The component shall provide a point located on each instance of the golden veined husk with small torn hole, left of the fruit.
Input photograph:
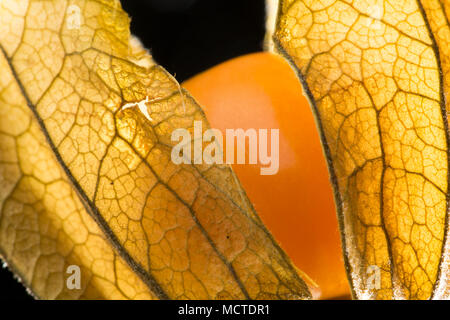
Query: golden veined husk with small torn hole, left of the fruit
(185, 232)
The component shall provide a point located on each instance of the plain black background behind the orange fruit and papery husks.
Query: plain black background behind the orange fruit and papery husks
(186, 37)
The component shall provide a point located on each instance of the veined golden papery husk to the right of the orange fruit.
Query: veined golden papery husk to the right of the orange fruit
(373, 72)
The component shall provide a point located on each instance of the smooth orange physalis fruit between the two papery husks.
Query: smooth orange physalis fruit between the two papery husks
(261, 91)
